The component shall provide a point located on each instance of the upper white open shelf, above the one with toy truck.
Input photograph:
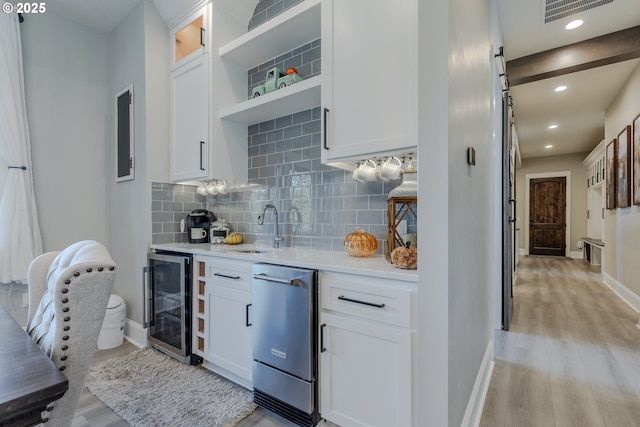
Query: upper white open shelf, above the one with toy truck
(287, 31)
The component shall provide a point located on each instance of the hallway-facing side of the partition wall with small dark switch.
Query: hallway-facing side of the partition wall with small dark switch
(471, 207)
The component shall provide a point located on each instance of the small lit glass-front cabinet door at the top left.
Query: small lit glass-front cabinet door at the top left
(190, 37)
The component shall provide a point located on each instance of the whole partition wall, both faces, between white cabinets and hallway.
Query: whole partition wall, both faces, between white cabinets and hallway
(456, 204)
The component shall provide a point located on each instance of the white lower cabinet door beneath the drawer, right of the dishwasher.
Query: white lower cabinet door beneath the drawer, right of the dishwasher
(365, 377)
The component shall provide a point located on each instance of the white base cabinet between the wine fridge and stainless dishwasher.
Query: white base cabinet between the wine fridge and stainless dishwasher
(227, 306)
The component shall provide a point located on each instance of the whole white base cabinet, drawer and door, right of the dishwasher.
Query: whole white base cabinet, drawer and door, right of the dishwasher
(365, 351)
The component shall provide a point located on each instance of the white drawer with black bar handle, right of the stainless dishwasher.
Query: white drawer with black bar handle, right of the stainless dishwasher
(369, 298)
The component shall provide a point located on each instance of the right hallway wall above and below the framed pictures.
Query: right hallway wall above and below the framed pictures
(622, 226)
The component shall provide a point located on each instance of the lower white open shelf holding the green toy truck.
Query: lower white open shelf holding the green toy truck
(291, 99)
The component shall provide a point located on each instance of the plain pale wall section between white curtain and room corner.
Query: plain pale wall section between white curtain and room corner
(65, 67)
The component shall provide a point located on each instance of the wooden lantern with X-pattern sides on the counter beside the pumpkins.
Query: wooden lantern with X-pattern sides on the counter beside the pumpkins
(402, 204)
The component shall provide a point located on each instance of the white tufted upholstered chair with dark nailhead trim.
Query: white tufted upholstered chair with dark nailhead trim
(68, 295)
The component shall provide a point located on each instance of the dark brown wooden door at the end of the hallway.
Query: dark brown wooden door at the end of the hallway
(547, 216)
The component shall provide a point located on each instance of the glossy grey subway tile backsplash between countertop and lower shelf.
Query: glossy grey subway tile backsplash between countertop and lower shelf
(318, 205)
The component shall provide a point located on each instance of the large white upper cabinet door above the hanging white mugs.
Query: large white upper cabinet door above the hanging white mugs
(370, 77)
